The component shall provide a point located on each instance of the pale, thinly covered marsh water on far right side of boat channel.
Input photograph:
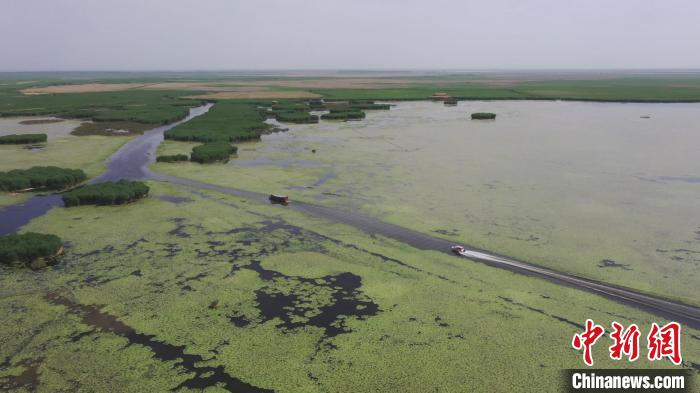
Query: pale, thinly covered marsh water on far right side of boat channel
(567, 185)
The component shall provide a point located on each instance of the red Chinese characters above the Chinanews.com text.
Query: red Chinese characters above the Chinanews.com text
(662, 342)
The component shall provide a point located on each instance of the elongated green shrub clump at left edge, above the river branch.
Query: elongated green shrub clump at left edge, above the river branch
(50, 177)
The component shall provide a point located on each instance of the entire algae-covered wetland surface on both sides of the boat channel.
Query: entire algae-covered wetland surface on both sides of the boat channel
(205, 287)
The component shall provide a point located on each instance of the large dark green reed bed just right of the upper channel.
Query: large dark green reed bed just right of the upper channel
(226, 121)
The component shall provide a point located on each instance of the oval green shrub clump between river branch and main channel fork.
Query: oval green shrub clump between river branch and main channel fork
(108, 193)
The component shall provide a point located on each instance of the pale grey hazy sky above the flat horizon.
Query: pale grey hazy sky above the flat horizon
(352, 34)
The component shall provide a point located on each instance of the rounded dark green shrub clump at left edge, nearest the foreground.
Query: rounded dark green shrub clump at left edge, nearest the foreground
(27, 247)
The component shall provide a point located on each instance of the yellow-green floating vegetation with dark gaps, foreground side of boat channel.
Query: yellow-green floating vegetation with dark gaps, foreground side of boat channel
(221, 291)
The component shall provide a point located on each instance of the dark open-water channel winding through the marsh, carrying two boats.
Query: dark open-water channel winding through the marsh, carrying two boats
(132, 160)
